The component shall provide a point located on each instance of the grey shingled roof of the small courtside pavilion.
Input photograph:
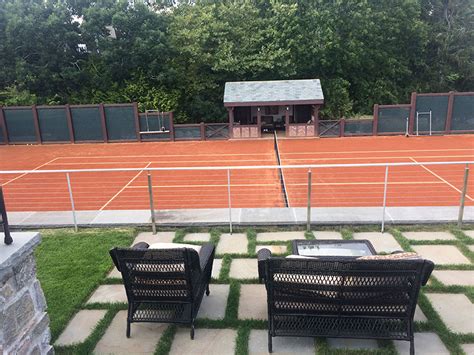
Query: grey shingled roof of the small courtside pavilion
(277, 92)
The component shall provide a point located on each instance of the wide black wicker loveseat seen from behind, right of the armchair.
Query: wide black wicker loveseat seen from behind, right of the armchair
(342, 297)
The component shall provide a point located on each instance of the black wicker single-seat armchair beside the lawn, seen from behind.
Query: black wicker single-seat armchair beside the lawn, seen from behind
(164, 285)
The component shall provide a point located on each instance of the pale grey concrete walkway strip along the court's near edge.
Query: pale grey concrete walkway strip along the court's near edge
(243, 216)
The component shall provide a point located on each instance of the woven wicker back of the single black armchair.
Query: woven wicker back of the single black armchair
(158, 275)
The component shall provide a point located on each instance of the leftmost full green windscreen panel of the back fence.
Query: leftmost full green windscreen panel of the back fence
(20, 125)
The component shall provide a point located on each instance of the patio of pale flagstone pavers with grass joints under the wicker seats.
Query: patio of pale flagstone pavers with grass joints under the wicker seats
(233, 317)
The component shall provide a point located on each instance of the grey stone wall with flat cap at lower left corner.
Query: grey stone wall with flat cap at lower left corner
(24, 323)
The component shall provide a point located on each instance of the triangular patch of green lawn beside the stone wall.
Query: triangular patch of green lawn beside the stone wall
(72, 265)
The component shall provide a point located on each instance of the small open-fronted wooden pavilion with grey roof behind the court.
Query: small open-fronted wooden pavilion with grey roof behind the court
(264, 106)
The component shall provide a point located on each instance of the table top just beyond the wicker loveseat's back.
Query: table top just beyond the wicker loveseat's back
(328, 247)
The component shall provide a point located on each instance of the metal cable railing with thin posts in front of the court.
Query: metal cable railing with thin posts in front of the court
(306, 186)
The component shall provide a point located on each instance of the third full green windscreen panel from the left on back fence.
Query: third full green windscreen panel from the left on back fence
(87, 124)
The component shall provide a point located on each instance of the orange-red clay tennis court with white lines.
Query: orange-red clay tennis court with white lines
(425, 185)
